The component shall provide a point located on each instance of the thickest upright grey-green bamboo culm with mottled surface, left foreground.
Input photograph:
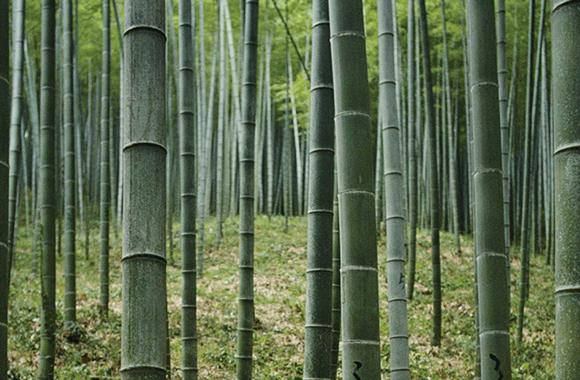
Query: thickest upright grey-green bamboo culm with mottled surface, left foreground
(144, 322)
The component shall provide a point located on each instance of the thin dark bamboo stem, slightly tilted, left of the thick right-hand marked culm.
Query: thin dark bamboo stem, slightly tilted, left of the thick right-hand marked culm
(434, 177)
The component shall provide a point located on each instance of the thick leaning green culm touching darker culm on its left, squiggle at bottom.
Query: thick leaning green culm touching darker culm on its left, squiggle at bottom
(359, 277)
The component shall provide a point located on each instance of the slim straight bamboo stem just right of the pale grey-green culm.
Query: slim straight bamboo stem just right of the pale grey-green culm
(412, 149)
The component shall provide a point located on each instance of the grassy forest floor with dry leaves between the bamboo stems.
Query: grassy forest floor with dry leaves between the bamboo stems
(280, 295)
